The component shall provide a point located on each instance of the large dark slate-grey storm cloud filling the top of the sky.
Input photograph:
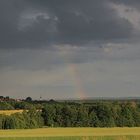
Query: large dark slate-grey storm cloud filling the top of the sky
(63, 21)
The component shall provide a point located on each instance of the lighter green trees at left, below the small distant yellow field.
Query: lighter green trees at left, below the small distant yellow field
(25, 120)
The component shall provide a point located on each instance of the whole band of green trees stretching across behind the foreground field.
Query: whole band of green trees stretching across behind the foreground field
(71, 114)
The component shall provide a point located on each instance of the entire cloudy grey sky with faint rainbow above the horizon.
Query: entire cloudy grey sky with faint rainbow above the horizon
(63, 49)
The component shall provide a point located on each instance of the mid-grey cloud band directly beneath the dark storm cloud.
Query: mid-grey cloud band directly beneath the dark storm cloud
(28, 59)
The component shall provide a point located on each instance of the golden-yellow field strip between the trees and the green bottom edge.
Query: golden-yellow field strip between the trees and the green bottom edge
(54, 132)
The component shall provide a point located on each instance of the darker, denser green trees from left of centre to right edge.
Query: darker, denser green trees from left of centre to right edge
(97, 115)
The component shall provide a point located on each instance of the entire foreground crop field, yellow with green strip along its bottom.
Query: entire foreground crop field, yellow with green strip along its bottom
(72, 134)
